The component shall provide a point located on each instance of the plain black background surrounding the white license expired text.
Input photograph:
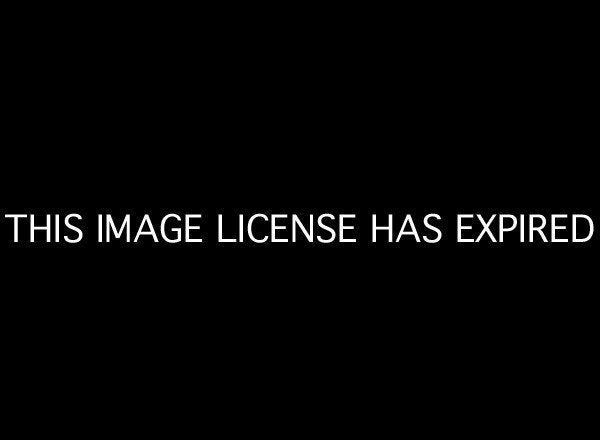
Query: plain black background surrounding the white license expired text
(368, 113)
